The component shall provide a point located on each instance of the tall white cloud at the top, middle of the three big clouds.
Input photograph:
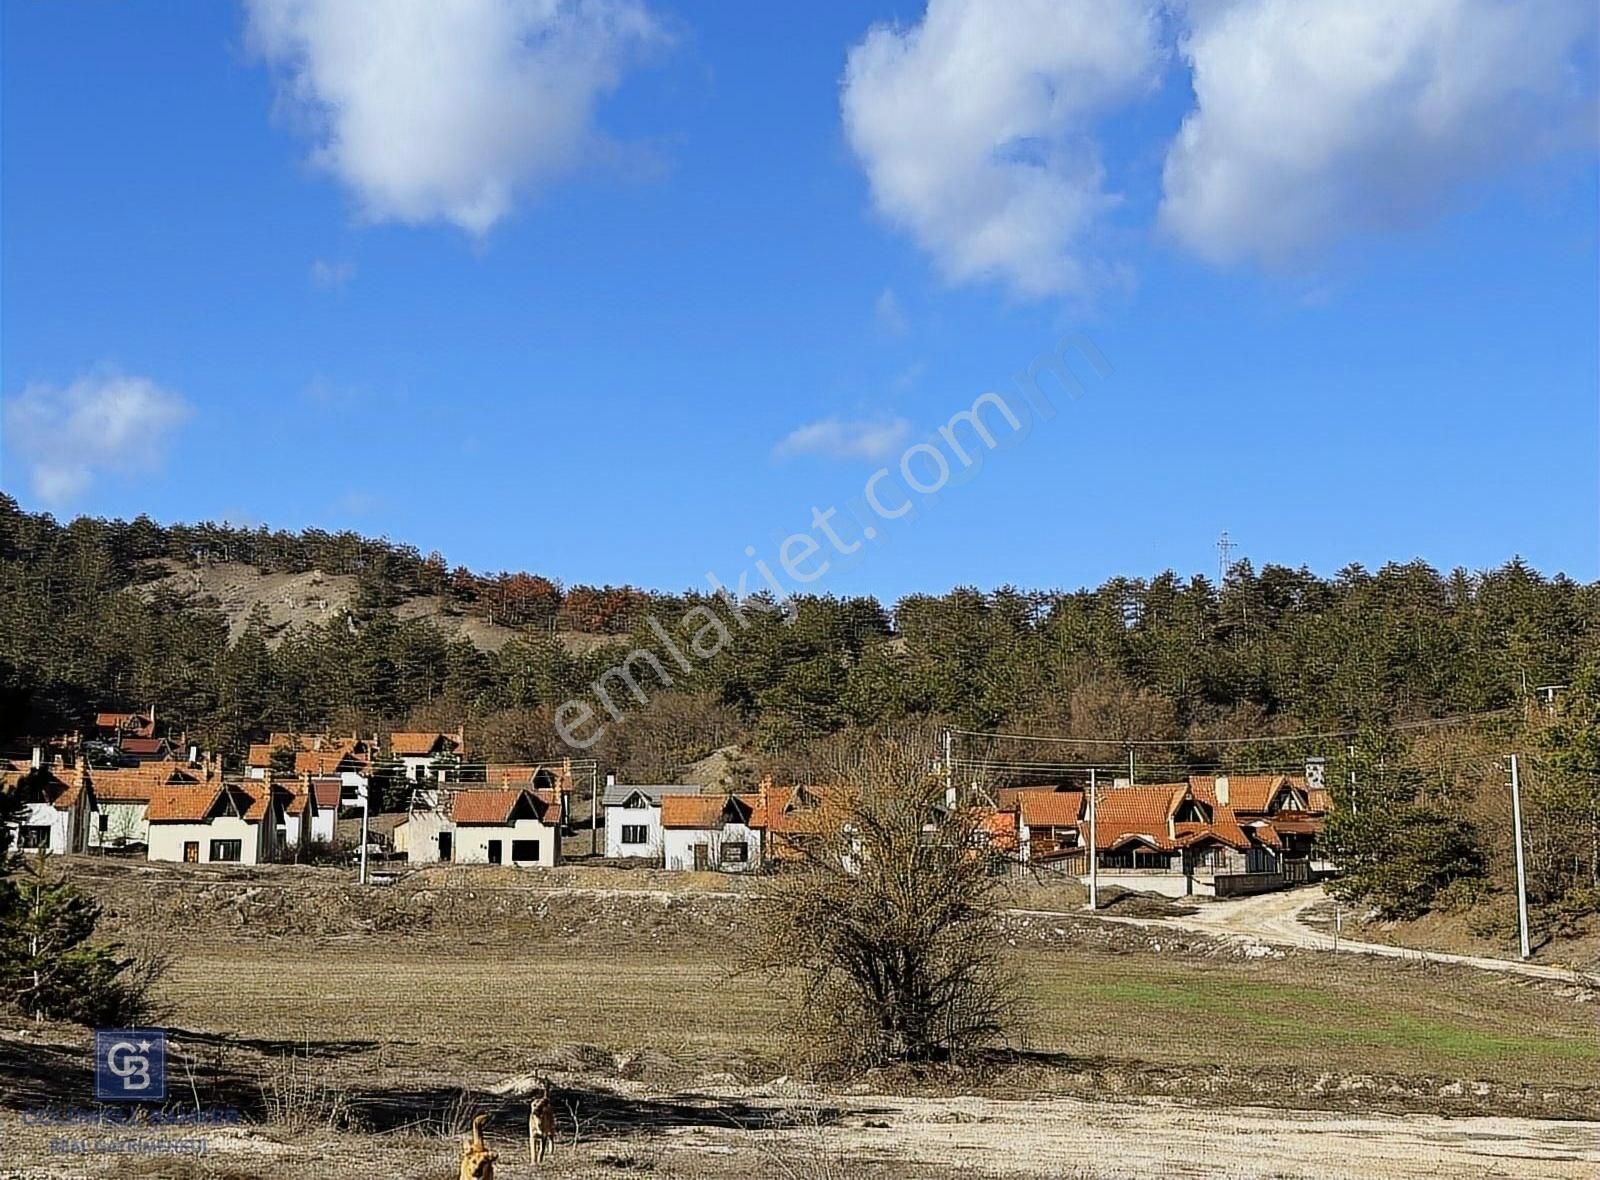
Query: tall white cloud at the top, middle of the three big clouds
(975, 130)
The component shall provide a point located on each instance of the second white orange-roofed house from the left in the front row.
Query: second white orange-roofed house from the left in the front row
(225, 823)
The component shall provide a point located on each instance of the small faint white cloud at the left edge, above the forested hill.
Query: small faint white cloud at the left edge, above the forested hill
(66, 437)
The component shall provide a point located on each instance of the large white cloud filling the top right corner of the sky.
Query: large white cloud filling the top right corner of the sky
(1314, 121)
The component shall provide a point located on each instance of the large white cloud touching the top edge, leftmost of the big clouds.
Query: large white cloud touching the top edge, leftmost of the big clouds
(449, 110)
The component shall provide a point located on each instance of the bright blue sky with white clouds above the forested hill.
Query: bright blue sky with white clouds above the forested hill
(1348, 319)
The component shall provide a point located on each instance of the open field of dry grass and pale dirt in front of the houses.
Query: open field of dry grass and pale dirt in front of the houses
(367, 1029)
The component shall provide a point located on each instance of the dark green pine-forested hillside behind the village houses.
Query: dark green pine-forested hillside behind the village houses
(1145, 658)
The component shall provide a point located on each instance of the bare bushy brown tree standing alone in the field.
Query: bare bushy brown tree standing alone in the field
(889, 917)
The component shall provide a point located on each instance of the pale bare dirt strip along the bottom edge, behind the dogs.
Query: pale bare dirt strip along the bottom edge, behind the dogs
(922, 1138)
